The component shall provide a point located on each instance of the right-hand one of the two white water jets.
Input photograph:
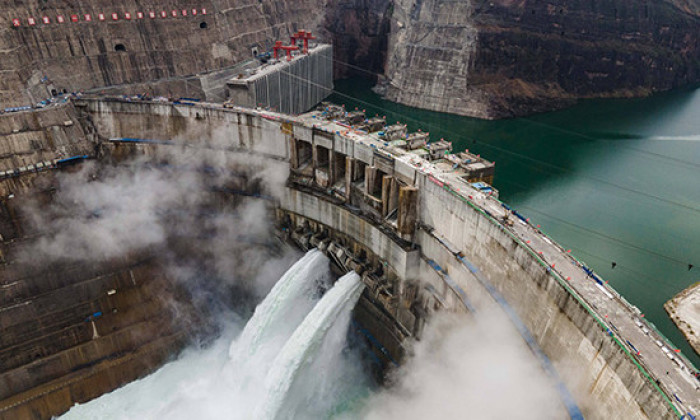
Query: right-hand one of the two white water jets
(302, 348)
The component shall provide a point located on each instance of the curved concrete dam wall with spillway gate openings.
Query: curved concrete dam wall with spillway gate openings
(426, 226)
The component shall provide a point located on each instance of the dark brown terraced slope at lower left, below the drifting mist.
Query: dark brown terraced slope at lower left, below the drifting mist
(74, 330)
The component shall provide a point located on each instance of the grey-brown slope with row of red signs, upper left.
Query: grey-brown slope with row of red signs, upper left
(37, 59)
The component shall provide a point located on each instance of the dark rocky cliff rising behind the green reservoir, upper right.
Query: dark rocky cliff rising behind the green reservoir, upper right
(506, 58)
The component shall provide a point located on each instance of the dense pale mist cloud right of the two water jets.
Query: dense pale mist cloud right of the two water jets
(468, 369)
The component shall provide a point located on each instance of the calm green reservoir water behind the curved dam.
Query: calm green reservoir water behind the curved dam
(614, 180)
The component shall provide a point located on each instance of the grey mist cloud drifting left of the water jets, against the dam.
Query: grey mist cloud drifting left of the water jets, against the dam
(181, 204)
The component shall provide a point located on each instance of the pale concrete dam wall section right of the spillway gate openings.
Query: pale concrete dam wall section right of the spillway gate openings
(586, 358)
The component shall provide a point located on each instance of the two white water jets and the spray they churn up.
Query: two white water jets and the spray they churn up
(228, 379)
